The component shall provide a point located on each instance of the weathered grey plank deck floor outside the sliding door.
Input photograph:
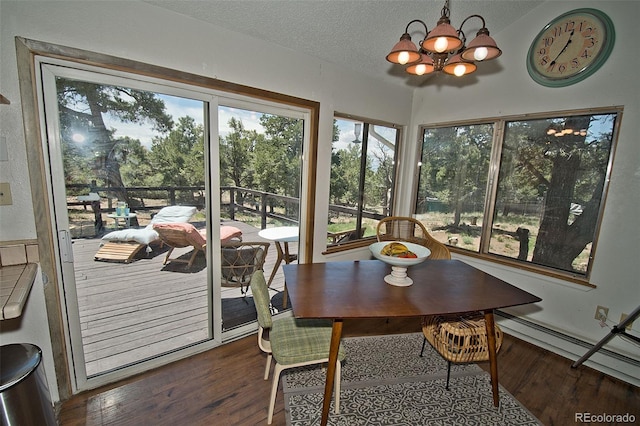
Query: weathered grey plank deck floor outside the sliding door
(133, 311)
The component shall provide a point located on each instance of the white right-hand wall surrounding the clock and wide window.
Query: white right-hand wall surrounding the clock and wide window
(568, 308)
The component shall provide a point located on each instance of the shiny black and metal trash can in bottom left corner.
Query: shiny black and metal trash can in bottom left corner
(24, 394)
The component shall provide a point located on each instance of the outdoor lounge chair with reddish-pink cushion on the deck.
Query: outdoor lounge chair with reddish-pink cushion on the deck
(178, 235)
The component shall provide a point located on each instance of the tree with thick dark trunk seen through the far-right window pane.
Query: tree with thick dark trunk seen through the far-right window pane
(562, 171)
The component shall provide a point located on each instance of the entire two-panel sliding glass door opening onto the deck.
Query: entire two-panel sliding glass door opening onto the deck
(151, 185)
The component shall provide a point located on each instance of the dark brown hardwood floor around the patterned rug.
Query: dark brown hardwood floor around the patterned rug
(224, 386)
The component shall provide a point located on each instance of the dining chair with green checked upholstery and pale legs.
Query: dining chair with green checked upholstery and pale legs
(291, 342)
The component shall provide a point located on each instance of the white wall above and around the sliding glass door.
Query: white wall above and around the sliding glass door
(145, 33)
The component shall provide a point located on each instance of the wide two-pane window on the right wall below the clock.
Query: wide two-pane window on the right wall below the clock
(525, 191)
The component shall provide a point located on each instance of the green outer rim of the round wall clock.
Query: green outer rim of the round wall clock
(602, 57)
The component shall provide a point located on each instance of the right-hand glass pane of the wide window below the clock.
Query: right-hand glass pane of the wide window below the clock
(550, 189)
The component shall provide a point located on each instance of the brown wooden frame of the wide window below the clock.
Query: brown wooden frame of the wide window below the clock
(500, 124)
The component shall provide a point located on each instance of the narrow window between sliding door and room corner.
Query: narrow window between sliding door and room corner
(363, 160)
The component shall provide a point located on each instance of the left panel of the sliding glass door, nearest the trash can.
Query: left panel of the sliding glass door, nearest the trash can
(126, 155)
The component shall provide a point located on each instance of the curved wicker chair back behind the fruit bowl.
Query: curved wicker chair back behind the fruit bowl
(399, 228)
